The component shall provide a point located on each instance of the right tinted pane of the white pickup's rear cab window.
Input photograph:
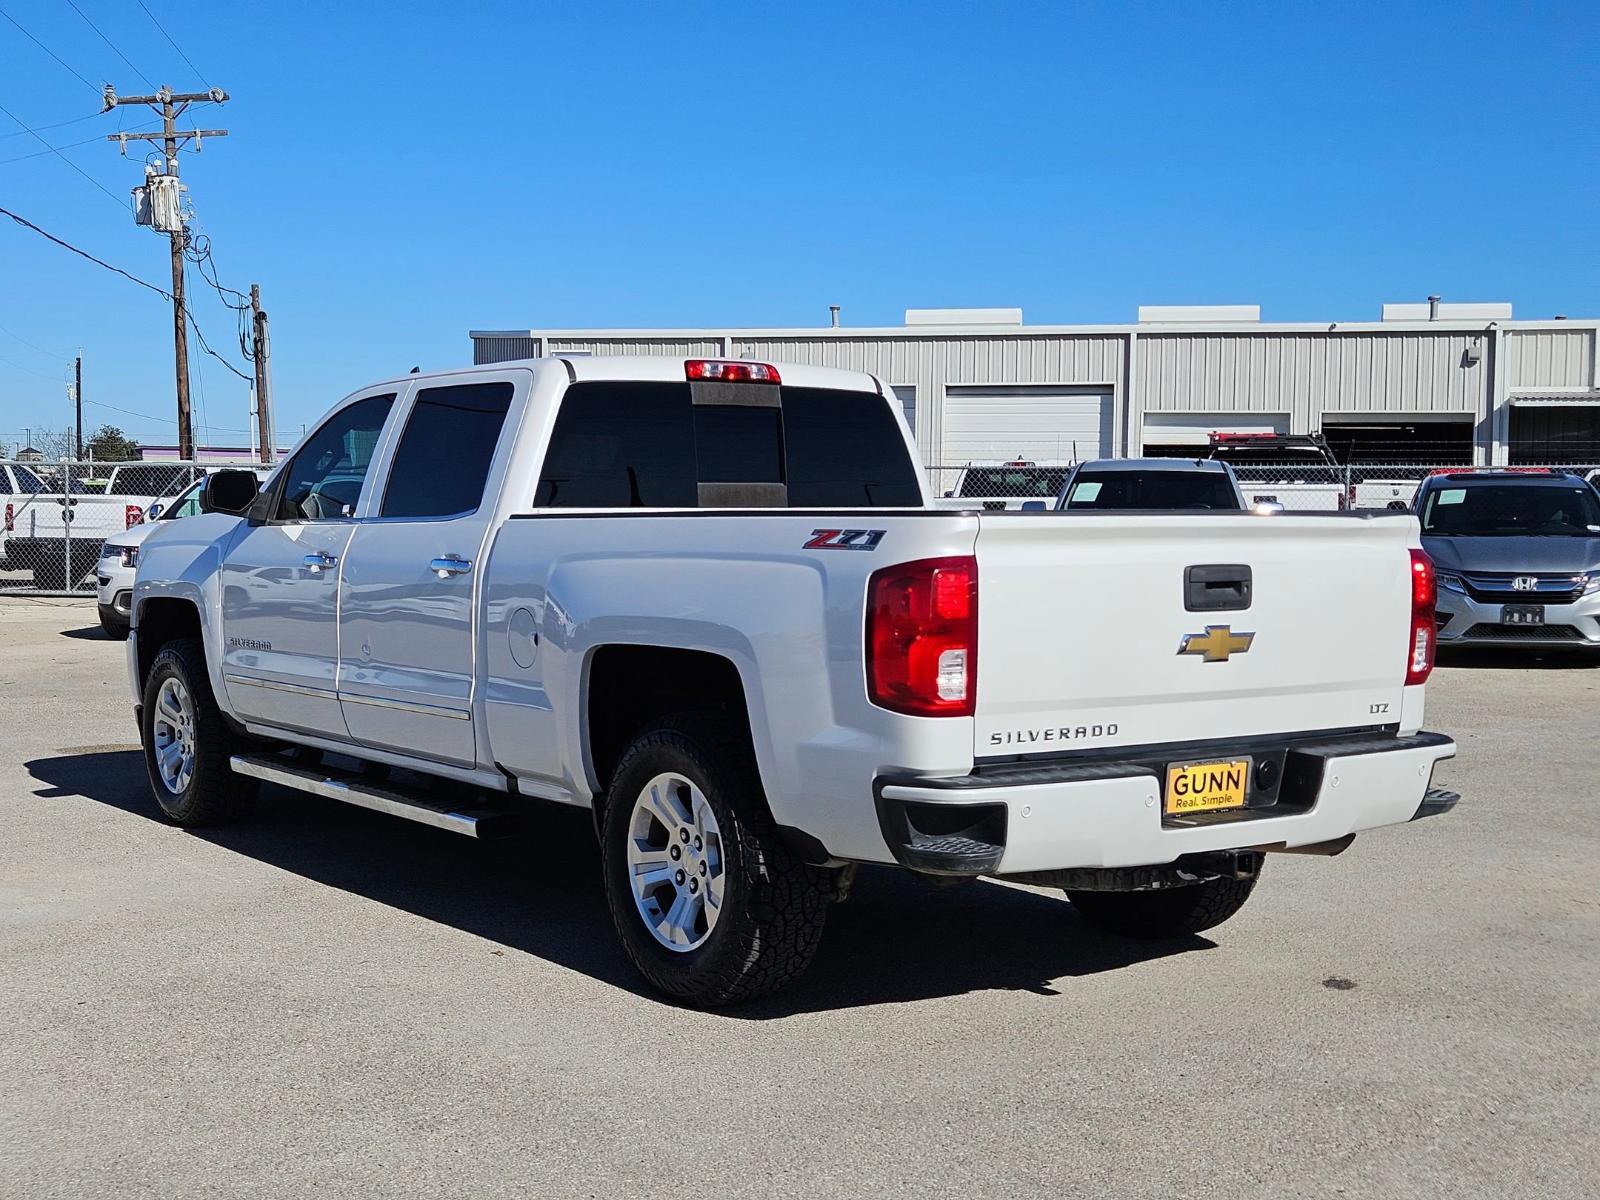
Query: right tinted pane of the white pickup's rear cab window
(846, 452)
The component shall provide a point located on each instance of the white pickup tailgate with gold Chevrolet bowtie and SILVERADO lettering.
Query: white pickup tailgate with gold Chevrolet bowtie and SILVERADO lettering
(1086, 630)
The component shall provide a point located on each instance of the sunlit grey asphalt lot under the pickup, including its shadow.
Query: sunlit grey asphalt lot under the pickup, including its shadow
(327, 1001)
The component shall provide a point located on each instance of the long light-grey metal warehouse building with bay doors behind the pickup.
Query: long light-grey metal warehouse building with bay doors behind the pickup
(1428, 383)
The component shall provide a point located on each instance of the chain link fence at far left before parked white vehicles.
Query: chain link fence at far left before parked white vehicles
(60, 516)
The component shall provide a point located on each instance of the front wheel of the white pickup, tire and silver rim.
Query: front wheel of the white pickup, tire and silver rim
(186, 742)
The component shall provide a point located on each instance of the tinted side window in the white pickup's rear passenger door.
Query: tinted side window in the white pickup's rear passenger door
(446, 452)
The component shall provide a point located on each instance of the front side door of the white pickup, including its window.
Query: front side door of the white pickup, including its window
(281, 578)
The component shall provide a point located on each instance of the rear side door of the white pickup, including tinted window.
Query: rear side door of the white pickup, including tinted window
(409, 604)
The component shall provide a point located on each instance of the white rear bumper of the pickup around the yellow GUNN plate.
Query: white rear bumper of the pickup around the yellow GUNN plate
(1110, 815)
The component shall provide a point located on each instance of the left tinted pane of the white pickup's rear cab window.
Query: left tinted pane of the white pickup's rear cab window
(622, 446)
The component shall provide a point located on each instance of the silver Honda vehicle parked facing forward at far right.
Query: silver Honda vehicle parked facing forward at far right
(1518, 558)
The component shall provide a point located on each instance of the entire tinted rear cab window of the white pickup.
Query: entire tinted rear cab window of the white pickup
(662, 446)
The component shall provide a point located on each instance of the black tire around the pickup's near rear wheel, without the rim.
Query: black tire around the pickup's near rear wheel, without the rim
(774, 905)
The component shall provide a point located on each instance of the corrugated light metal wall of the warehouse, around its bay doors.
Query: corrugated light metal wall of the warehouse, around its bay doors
(1305, 374)
